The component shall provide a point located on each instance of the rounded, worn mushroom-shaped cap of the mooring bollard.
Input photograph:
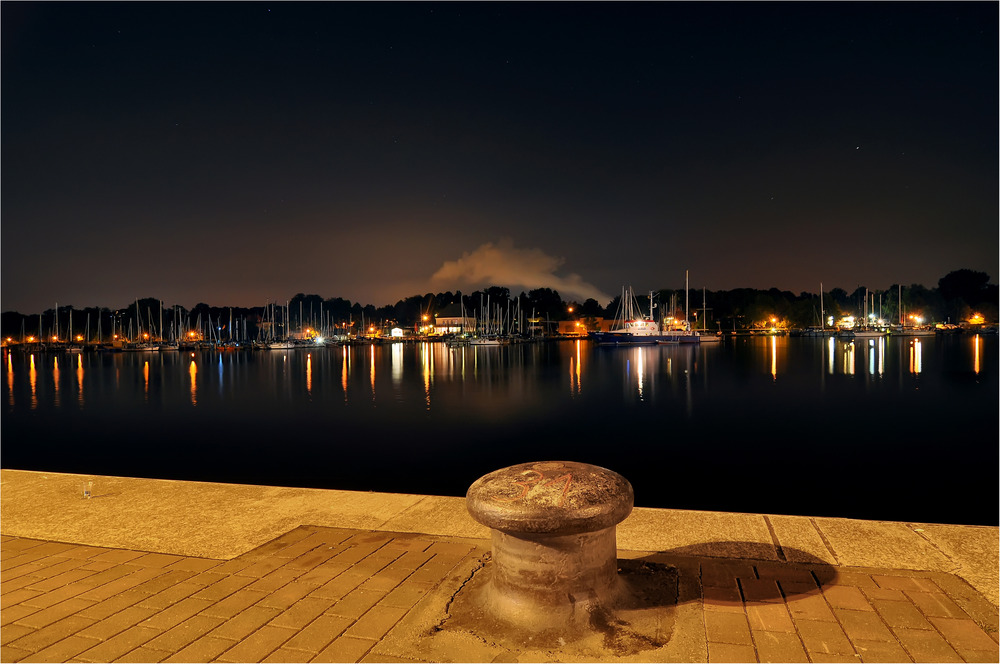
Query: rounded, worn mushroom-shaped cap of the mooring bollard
(550, 497)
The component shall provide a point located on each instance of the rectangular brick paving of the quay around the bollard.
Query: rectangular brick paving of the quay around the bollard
(339, 595)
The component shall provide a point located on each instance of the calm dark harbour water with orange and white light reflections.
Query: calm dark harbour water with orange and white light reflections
(897, 428)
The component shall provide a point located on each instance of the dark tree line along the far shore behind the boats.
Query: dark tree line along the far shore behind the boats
(956, 297)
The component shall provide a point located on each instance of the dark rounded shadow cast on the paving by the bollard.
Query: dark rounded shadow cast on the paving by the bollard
(687, 574)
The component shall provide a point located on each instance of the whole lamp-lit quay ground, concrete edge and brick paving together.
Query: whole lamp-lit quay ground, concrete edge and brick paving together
(163, 570)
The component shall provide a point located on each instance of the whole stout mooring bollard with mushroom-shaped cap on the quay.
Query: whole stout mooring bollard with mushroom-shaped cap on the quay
(554, 548)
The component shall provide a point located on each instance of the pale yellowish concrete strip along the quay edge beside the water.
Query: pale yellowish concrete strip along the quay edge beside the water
(223, 521)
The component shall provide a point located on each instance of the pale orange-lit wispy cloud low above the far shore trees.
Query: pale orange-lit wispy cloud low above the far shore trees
(503, 264)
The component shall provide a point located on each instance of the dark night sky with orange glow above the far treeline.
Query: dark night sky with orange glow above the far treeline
(236, 153)
